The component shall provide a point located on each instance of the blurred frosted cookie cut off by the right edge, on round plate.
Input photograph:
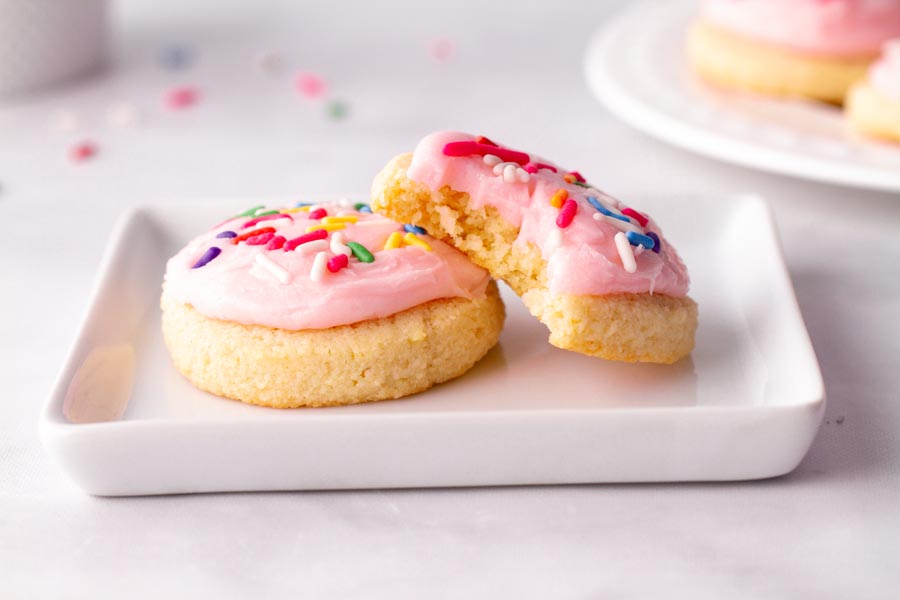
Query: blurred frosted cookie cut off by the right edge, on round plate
(873, 106)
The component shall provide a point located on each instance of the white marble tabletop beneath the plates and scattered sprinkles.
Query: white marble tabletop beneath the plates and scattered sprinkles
(831, 529)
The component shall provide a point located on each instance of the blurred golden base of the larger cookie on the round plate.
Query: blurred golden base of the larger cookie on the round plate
(732, 61)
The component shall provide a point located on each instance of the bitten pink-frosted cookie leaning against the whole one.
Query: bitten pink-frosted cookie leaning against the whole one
(598, 274)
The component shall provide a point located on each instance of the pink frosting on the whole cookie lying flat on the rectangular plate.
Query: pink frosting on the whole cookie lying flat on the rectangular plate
(234, 287)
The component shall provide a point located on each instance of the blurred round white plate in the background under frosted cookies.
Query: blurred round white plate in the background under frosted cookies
(636, 66)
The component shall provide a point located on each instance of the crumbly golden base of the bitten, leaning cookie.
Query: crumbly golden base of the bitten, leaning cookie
(627, 327)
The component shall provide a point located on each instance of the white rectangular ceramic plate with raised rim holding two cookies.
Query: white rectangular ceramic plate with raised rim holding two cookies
(745, 405)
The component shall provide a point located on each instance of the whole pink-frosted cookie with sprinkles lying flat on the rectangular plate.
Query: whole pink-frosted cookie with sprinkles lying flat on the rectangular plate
(324, 305)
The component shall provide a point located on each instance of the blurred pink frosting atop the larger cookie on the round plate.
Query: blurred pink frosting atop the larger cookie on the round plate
(818, 27)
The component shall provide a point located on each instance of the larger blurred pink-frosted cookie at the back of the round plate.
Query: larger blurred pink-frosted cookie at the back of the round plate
(801, 48)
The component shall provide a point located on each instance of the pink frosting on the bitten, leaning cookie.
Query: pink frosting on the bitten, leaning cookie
(582, 258)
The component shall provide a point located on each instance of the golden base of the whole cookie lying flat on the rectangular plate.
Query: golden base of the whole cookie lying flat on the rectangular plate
(379, 359)
